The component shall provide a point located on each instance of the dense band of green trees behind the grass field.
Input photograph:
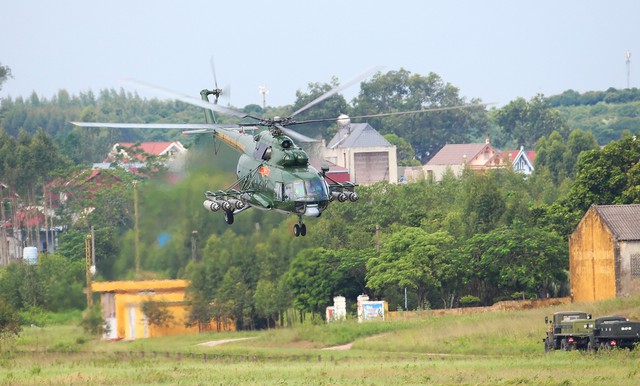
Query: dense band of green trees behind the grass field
(473, 239)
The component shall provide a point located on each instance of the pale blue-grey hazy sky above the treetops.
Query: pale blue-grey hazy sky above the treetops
(493, 50)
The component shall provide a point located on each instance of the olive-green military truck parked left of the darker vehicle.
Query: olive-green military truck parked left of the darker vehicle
(569, 330)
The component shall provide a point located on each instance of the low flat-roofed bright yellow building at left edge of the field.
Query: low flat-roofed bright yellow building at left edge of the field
(122, 308)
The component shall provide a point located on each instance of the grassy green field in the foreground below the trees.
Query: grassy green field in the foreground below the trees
(497, 348)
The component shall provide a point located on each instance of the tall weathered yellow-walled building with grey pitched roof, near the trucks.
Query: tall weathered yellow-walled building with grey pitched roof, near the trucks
(604, 253)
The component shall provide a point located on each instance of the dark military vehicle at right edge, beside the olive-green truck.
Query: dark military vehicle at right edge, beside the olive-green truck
(614, 331)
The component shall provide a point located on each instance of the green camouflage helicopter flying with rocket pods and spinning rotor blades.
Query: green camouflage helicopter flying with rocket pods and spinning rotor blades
(273, 173)
